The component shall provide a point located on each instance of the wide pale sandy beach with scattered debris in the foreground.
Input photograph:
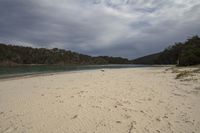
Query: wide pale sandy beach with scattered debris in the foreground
(136, 100)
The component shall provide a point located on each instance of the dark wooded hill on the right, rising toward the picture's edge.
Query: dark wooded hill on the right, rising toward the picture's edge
(182, 54)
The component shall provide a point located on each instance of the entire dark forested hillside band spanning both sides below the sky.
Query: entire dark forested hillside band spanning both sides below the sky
(183, 54)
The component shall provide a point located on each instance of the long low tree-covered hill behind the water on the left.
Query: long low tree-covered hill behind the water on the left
(13, 55)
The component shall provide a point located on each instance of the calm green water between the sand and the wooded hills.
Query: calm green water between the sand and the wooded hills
(6, 72)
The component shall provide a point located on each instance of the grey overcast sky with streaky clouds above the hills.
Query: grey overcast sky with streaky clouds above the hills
(127, 28)
